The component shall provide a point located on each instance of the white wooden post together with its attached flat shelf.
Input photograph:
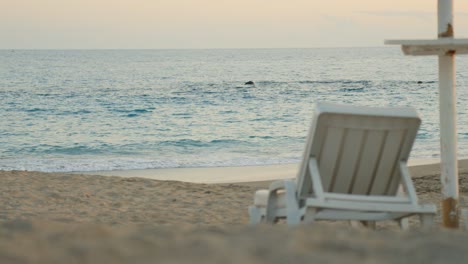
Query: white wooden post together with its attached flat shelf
(445, 46)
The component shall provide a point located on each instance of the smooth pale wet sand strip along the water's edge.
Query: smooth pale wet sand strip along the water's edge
(245, 174)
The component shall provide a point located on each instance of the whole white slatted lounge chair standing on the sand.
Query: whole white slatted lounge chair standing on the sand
(354, 168)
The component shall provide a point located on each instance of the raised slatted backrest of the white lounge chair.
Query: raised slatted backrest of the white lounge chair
(358, 149)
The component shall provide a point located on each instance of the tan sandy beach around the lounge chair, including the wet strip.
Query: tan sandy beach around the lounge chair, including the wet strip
(81, 218)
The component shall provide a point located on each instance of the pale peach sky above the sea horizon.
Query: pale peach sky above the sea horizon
(175, 24)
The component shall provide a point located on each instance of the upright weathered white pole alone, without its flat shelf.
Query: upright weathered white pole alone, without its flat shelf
(448, 125)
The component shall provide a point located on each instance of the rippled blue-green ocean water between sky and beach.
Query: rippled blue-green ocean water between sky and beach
(88, 110)
